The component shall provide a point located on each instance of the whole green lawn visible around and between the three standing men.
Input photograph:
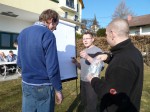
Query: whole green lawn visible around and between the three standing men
(10, 95)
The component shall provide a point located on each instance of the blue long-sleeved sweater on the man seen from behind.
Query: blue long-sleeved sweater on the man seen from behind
(37, 57)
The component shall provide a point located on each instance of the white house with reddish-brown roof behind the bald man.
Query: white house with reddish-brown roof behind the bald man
(139, 25)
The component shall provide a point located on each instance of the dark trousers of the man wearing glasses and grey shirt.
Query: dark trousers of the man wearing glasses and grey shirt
(88, 97)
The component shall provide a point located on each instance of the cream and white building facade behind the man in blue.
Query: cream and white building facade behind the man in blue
(15, 15)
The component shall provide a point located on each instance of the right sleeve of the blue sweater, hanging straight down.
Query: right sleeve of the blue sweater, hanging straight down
(52, 63)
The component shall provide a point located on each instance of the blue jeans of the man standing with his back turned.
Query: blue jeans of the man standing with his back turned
(37, 98)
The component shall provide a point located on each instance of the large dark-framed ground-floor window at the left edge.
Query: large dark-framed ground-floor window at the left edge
(7, 40)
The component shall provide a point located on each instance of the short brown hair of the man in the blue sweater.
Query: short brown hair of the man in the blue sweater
(49, 14)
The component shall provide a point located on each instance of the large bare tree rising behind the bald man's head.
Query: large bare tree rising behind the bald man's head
(122, 11)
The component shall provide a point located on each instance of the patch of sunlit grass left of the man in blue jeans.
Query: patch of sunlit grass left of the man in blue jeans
(10, 96)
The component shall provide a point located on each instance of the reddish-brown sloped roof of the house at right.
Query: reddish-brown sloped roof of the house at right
(139, 20)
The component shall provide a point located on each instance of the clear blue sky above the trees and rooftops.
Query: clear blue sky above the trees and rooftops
(104, 9)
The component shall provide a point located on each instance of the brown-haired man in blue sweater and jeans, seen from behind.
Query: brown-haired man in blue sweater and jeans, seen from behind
(37, 57)
